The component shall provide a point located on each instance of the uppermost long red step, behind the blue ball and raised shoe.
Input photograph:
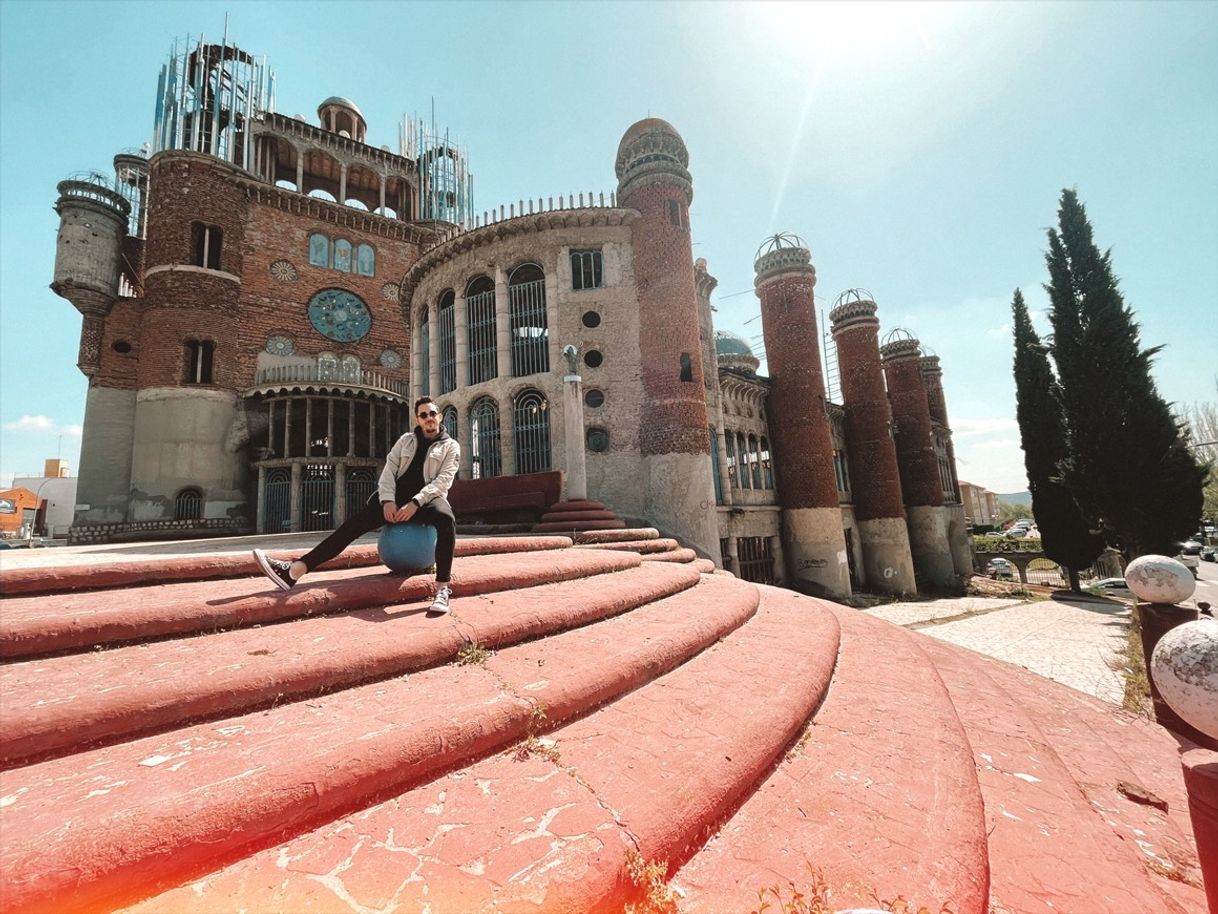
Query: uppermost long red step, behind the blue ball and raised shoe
(98, 576)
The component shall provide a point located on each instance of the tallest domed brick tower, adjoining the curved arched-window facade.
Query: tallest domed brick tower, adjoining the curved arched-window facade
(653, 179)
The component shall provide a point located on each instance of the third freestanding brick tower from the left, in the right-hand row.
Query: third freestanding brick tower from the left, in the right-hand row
(917, 459)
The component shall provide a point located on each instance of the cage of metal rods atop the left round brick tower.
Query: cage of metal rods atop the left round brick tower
(209, 96)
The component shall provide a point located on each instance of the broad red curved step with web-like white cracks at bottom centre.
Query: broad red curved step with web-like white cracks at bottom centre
(547, 827)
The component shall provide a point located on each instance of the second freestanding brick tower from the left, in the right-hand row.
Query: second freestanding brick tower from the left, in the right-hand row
(889, 565)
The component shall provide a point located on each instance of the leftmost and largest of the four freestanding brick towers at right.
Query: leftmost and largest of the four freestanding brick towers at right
(813, 539)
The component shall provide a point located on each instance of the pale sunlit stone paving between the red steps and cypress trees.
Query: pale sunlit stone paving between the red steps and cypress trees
(1079, 644)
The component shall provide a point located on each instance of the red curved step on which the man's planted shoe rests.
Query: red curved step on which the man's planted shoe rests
(68, 703)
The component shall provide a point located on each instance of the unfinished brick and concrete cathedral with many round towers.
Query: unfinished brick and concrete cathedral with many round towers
(265, 297)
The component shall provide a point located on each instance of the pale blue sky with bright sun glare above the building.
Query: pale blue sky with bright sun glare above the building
(919, 149)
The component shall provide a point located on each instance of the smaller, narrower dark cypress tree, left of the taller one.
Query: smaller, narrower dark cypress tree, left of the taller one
(1066, 537)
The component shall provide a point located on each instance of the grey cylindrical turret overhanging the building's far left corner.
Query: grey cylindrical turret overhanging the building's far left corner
(93, 222)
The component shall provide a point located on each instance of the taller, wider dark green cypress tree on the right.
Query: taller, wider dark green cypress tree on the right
(1127, 466)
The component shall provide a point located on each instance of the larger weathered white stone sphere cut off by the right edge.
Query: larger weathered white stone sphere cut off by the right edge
(1186, 670)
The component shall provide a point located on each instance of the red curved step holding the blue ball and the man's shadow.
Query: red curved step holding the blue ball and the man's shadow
(74, 622)
